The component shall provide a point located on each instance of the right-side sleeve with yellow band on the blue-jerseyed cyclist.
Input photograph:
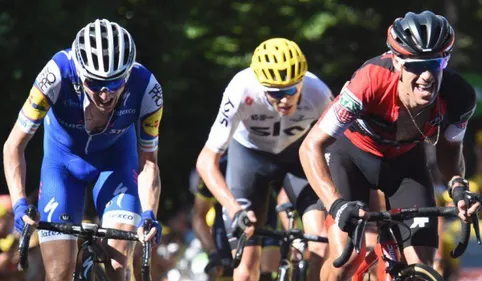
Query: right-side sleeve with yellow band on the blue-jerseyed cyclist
(150, 116)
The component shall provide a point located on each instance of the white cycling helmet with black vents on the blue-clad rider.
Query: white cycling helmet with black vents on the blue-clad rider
(103, 50)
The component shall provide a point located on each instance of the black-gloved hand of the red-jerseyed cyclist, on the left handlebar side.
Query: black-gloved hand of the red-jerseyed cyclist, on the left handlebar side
(346, 213)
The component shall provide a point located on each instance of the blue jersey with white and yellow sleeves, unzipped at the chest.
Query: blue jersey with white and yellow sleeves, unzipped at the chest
(57, 97)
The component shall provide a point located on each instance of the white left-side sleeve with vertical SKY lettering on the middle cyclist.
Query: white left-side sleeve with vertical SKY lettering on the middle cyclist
(228, 118)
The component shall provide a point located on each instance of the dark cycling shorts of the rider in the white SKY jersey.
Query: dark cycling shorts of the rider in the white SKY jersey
(250, 174)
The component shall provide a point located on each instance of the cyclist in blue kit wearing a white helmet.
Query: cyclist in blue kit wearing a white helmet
(101, 112)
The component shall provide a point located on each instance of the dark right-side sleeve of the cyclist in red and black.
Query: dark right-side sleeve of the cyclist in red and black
(461, 102)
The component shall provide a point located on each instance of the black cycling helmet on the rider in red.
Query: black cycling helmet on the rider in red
(421, 34)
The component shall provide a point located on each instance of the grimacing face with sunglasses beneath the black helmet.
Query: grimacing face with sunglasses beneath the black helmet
(421, 79)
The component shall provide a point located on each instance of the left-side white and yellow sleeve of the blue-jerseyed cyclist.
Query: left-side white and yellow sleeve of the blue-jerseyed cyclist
(43, 94)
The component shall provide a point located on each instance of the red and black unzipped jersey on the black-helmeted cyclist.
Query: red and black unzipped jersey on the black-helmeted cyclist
(367, 109)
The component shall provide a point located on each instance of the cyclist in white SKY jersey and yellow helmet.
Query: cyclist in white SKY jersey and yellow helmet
(264, 115)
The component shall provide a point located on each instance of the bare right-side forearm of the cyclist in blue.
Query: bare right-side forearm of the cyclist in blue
(149, 183)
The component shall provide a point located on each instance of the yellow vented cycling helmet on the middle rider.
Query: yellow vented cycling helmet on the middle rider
(279, 63)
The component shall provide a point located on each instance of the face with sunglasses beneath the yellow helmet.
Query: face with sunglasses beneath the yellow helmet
(285, 104)
